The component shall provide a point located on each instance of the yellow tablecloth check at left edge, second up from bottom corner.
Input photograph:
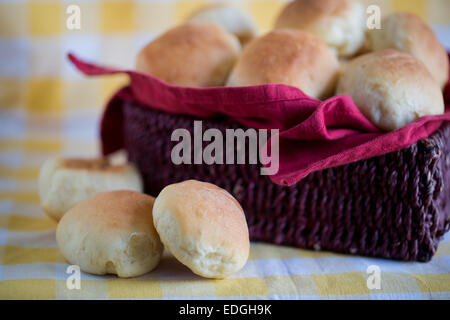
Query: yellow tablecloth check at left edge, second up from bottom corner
(11, 255)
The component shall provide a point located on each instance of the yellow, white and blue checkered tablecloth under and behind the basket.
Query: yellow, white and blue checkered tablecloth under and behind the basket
(48, 109)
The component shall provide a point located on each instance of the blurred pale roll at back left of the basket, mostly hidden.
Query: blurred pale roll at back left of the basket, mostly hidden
(231, 18)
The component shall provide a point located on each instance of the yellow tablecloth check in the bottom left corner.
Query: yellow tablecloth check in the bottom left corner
(28, 289)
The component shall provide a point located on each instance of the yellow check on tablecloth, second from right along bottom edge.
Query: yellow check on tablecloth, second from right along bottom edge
(341, 283)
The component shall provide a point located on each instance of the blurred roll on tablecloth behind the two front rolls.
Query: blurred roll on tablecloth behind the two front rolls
(65, 182)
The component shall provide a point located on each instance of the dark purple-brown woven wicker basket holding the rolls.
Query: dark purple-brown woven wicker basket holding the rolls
(395, 206)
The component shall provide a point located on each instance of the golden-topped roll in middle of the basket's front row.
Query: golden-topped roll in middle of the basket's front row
(291, 57)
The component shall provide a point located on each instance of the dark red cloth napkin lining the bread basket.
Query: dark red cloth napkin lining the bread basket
(314, 134)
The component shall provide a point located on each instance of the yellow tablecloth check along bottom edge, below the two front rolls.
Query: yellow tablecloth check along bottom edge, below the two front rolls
(134, 289)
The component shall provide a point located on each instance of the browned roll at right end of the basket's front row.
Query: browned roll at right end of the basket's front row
(391, 88)
